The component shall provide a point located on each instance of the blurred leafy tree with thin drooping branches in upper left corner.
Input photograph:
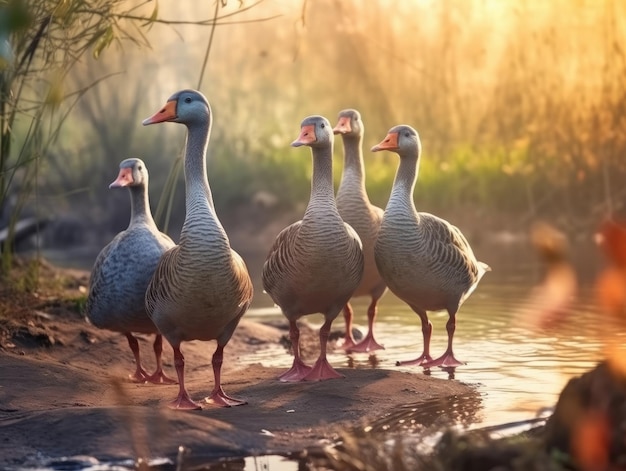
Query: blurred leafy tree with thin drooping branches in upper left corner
(41, 42)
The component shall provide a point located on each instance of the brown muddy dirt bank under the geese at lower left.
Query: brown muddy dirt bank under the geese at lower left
(64, 392)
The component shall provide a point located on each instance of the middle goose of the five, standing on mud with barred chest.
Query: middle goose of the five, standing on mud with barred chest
(315, 264)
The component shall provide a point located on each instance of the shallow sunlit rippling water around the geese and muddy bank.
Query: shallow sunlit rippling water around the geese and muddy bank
(516, 369)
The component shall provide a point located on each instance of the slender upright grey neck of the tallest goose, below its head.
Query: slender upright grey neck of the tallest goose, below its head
(197, 183)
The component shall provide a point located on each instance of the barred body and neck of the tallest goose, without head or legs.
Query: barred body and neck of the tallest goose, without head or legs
(201, 287)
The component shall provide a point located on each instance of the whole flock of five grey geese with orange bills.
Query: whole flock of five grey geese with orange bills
(342, 247)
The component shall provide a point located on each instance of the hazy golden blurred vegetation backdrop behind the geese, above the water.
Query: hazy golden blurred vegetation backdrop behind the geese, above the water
(520, 106)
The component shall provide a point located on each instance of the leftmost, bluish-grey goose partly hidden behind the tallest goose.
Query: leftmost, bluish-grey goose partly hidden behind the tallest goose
(123, 269)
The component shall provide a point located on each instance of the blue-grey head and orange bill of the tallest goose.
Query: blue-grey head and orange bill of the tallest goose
(187, 107)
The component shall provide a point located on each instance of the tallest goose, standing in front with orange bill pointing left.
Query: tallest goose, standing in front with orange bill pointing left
(201, 287)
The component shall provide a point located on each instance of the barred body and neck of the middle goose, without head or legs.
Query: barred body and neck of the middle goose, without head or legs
(315, 264)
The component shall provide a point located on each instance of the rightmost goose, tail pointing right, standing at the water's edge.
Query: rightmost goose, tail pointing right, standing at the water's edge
(425, 260)
